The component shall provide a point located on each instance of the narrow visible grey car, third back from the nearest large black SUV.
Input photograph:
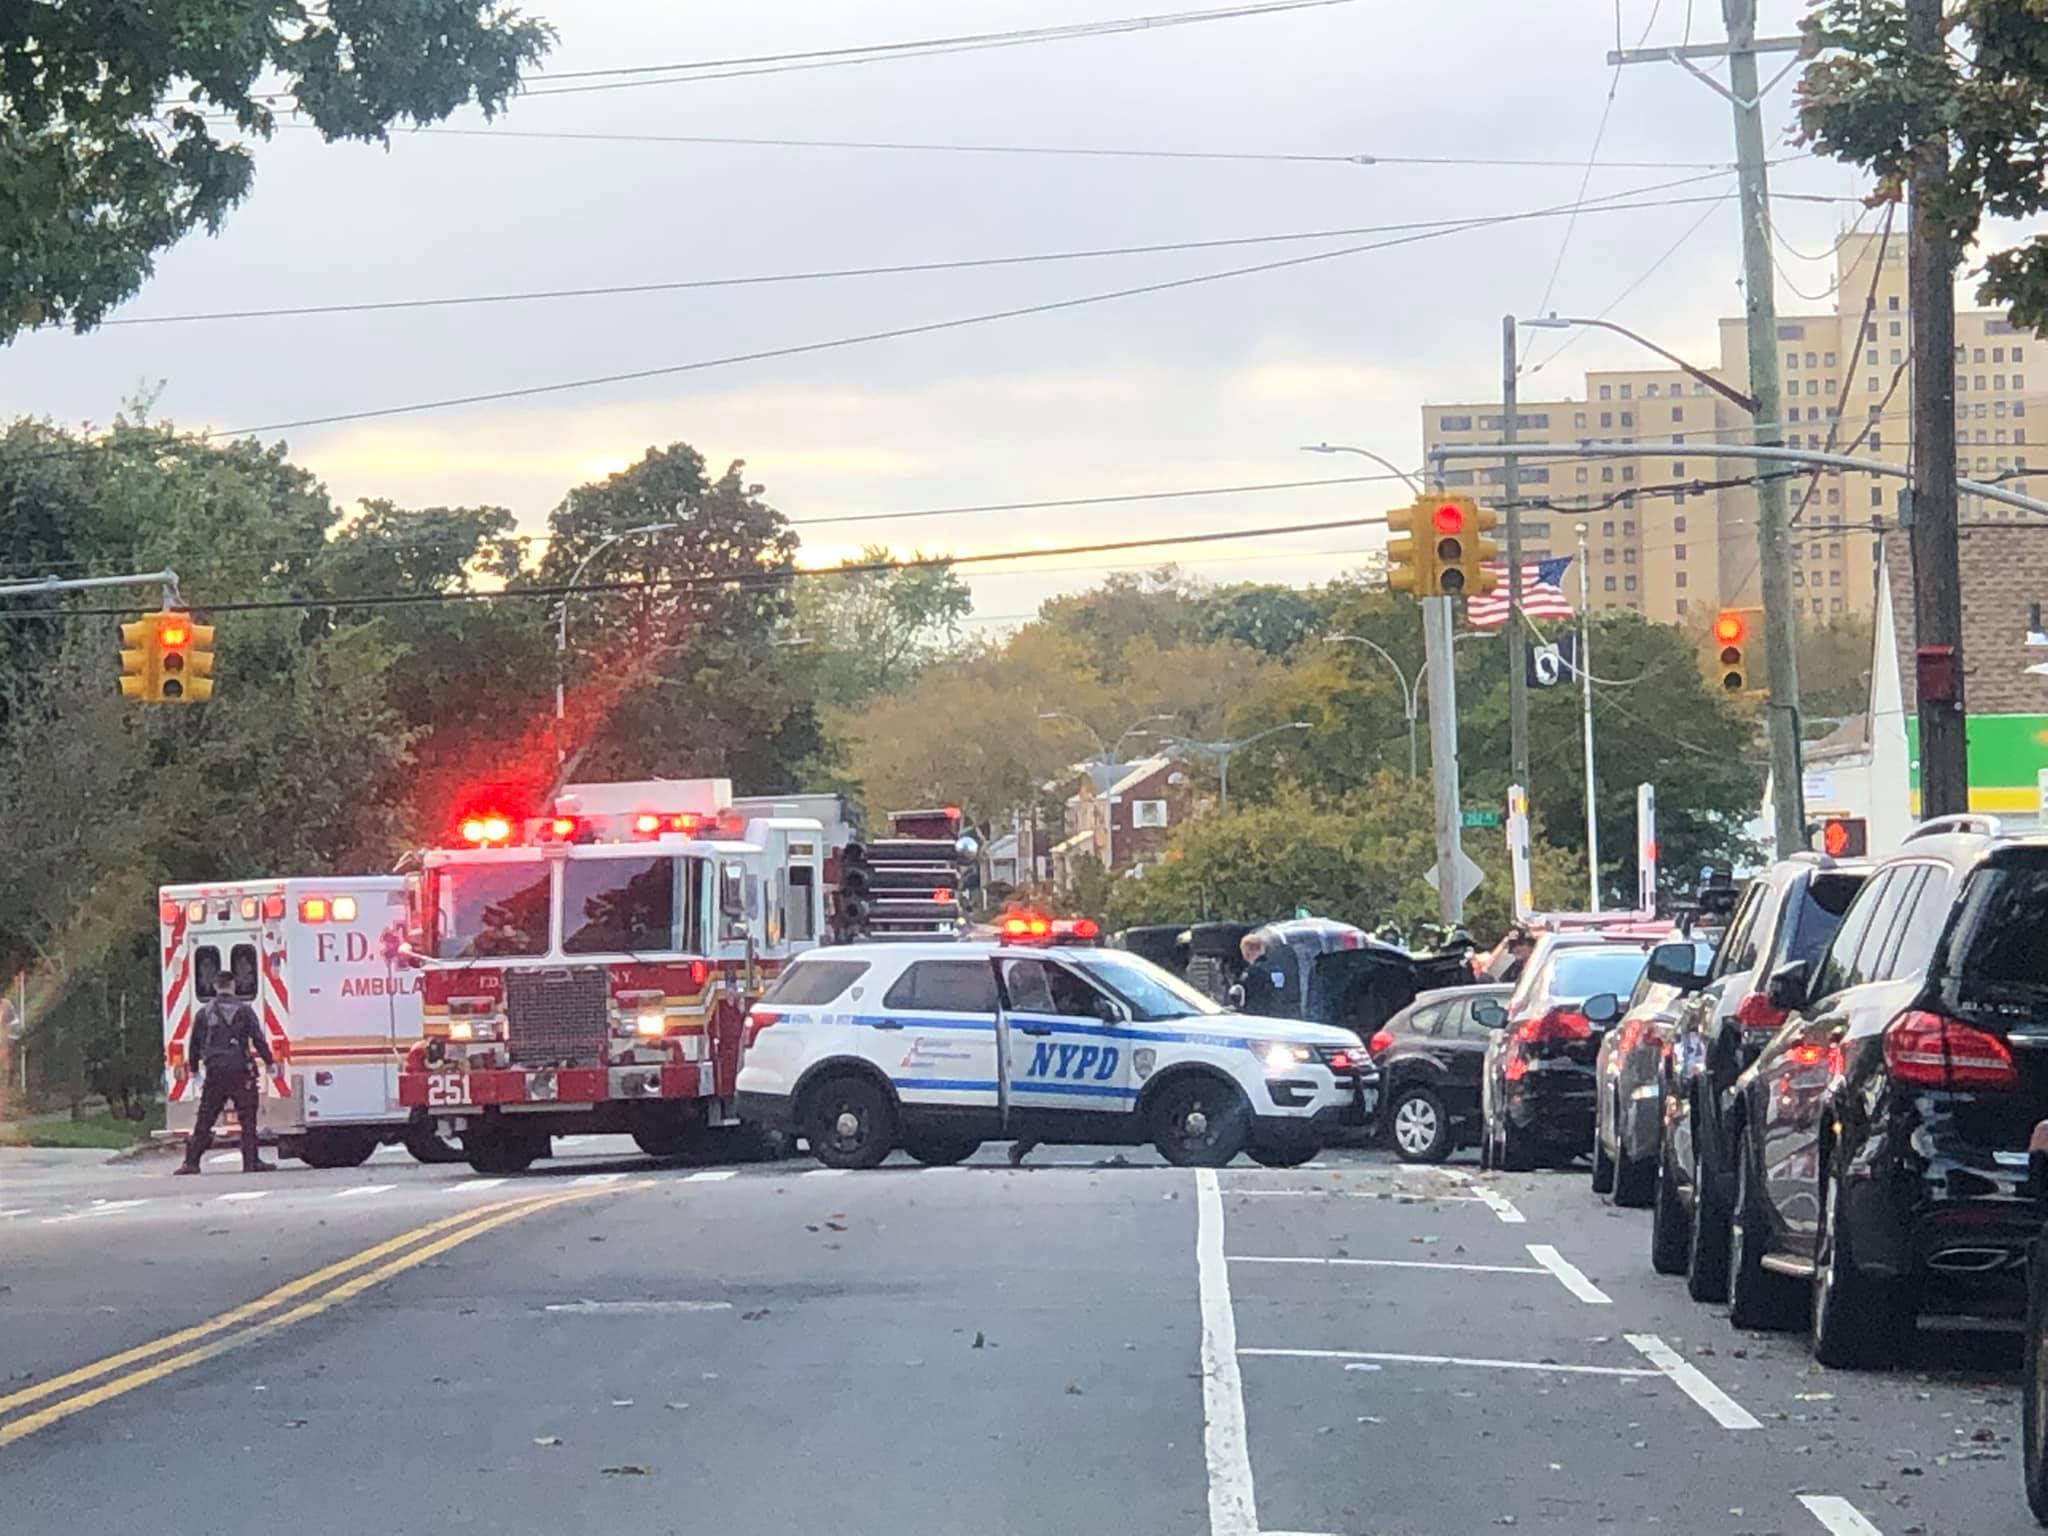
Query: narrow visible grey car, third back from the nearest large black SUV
(1629, 1070)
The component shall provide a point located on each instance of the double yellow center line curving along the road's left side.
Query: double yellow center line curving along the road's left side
(470, 1224)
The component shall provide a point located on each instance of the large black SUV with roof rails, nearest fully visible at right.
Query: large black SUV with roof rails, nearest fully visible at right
(1881, 1138)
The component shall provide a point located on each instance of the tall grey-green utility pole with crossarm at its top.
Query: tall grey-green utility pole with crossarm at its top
(1781, 624)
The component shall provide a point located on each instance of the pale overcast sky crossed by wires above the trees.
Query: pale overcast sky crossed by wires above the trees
(1203, 386)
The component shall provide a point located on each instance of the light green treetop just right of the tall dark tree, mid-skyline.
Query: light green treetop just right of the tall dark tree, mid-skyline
(871, 632)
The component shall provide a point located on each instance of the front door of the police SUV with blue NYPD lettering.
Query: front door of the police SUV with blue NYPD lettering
(1066, 1041)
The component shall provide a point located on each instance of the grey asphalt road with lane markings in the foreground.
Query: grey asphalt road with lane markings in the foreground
(1076, 1347)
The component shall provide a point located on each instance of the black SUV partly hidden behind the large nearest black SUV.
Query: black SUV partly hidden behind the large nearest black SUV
(1789, 912)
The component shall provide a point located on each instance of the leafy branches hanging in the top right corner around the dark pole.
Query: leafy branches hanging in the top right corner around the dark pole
(1873, 99)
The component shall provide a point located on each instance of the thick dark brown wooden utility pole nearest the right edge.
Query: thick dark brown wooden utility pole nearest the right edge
(1936, 566)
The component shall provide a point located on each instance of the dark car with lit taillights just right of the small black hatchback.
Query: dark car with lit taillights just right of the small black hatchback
(1537, 1080)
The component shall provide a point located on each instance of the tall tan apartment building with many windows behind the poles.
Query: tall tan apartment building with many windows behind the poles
(1672, 552)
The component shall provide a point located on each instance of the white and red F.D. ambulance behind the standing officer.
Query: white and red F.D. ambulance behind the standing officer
(321, 964)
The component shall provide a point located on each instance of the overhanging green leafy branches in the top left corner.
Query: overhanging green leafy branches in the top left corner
(112, 138)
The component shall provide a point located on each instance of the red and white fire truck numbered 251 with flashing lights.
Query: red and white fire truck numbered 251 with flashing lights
(589, 970)
